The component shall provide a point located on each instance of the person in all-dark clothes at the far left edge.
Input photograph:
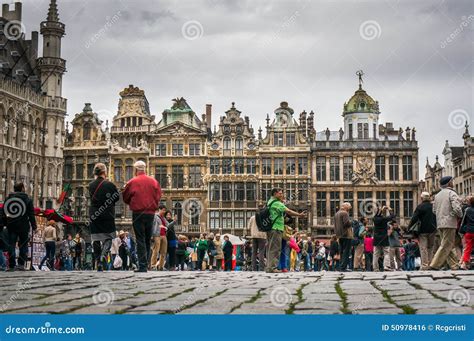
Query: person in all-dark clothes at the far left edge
(20, 219)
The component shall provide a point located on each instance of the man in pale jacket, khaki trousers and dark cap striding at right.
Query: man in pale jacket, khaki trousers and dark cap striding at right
(447, 208)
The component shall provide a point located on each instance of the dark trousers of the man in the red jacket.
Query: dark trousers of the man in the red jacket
(143, 226)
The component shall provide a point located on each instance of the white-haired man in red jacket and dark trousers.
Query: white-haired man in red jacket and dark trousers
(142, 194)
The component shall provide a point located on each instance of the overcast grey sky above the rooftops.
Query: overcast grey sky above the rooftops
(417, 57)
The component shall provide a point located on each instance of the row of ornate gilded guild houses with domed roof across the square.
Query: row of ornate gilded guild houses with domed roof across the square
(214, 180)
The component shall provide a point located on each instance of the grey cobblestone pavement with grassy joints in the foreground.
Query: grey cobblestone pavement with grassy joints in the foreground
(114, 292)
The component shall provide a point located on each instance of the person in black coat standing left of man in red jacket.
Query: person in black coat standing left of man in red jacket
(104, 195)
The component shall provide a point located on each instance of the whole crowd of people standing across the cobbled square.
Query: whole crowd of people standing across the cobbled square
(439, 236)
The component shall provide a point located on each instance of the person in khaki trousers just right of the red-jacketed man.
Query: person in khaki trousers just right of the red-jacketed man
(160, 242)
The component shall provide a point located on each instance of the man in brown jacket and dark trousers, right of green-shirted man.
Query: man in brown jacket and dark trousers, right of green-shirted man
(344, 233)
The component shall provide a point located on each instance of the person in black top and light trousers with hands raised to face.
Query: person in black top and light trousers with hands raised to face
(381, 244)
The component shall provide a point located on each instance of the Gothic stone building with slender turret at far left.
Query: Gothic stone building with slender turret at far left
(32, 109)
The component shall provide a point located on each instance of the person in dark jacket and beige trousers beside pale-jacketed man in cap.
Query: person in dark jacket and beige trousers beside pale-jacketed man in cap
(427, 234)
